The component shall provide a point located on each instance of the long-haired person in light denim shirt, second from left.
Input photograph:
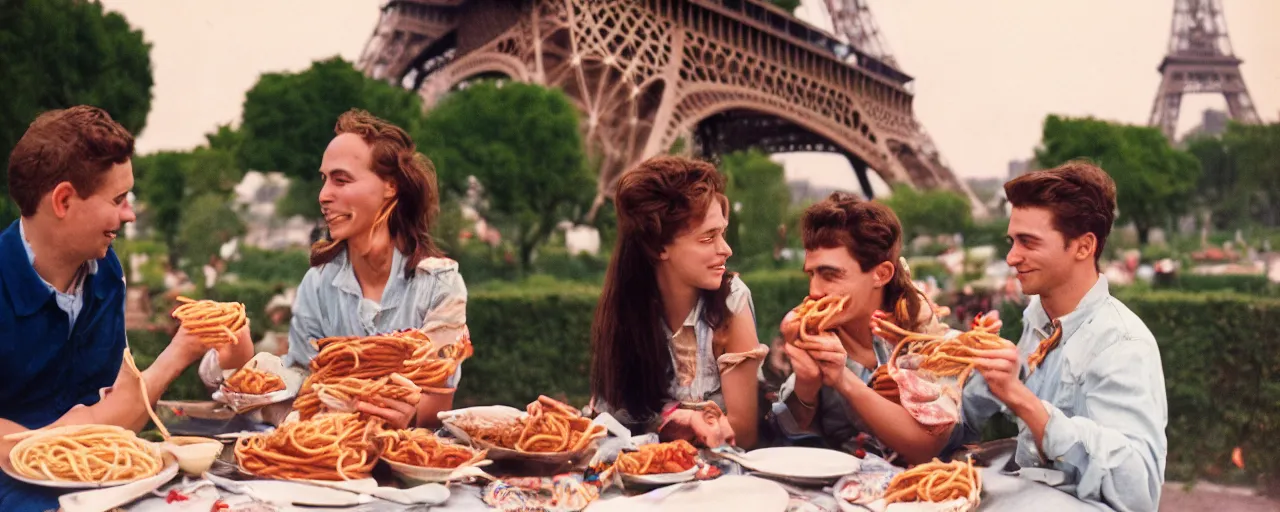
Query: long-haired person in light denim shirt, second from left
(378, 271)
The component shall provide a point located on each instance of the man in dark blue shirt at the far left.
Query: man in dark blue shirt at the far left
(62, 290)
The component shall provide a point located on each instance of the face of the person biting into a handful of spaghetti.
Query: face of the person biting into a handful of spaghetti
(834, 273)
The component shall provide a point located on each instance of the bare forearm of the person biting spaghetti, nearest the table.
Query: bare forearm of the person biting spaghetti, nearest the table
(892, 423)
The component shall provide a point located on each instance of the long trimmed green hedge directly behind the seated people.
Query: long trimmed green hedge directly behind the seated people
(1222, 367)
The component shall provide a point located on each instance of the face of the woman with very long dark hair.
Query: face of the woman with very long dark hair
(698, 255)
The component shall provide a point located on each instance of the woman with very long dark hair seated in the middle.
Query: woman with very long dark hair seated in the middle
(674, 346)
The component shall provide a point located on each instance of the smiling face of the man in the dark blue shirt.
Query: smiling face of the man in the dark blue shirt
(93, 223)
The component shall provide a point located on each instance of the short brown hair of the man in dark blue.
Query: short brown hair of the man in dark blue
(75, 145)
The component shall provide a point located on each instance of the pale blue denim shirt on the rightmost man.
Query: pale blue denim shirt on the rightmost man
(1104, 388)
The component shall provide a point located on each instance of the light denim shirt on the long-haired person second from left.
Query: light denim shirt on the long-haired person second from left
(331, 304)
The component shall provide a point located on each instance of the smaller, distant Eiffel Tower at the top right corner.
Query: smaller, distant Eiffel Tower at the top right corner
(1200, 61)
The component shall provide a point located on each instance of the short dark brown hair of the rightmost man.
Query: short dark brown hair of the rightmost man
(1081, 196)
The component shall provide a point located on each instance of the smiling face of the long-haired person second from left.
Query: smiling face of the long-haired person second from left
(353, 193)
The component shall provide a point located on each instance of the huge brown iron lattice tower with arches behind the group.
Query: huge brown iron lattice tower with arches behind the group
(724, 75)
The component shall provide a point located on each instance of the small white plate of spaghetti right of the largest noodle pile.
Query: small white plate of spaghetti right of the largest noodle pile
(419, 455)
